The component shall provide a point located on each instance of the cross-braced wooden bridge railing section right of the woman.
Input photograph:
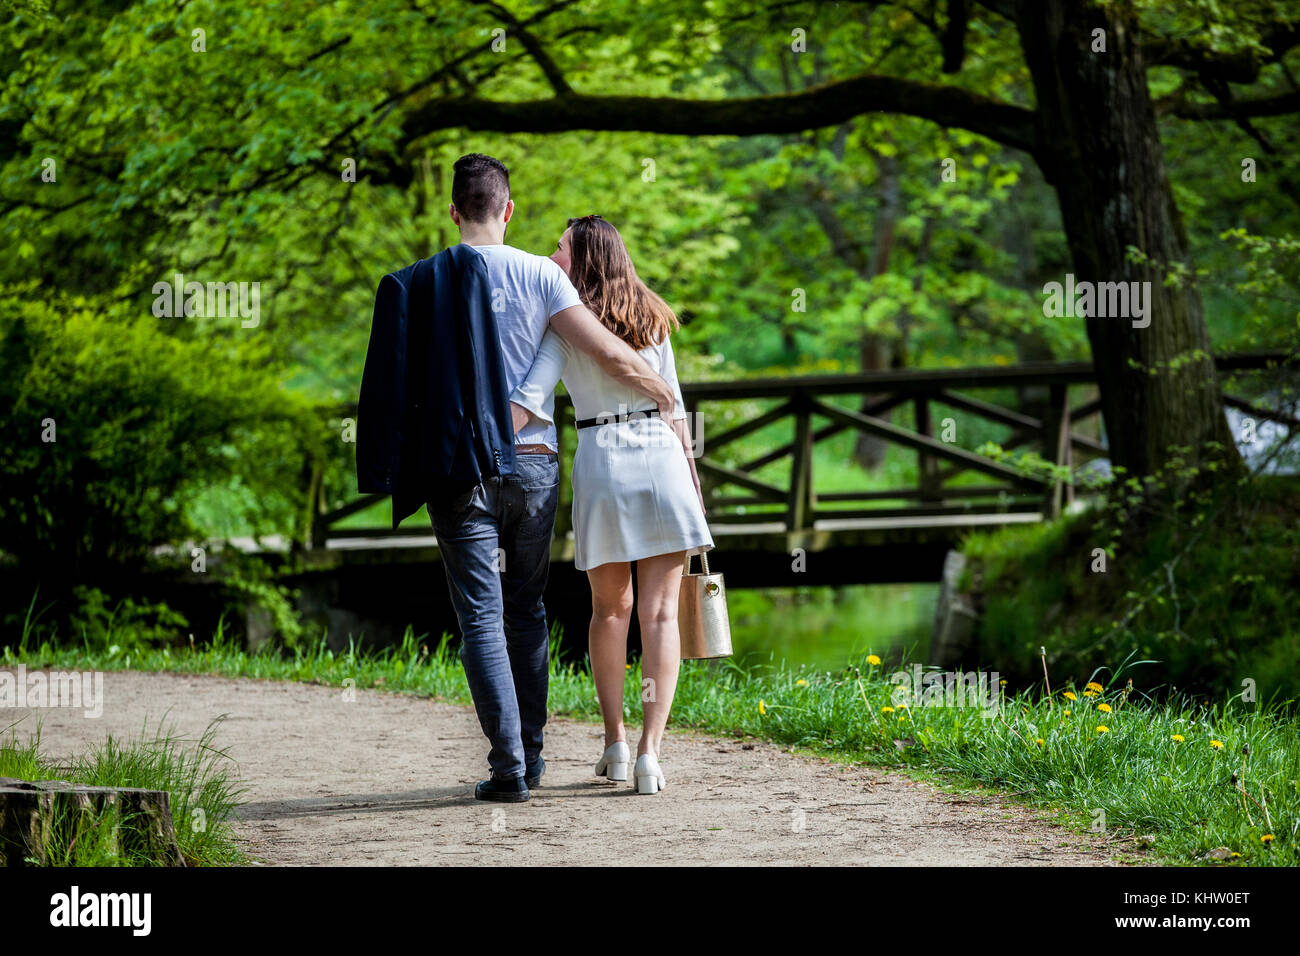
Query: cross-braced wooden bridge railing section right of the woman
(816, 412)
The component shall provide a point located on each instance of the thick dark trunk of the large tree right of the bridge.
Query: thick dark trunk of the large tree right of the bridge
(1100, 149)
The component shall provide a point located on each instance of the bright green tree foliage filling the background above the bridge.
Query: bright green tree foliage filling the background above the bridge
(306, 148)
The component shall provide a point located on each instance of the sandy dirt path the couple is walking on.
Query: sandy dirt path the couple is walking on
(387, 780)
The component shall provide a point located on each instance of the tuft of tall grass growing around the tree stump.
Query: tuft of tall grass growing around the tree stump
(196, 773)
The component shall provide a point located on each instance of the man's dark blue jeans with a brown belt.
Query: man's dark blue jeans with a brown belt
(496, 546)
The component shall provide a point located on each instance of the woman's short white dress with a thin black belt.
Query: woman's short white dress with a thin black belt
(634, 496)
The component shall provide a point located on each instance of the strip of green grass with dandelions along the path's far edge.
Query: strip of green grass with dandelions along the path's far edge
(1177, 798)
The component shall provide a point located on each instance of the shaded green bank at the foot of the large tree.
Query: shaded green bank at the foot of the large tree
(1208, 600)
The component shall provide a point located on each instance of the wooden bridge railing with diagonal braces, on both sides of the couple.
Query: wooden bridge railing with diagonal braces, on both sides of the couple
(757, 442)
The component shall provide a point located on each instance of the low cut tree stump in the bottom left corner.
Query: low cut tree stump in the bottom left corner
(41, 821)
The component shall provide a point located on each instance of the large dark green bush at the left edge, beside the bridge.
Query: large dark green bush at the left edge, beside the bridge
(124, 434)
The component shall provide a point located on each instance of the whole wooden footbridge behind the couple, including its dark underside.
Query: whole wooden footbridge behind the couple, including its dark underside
(787, 504)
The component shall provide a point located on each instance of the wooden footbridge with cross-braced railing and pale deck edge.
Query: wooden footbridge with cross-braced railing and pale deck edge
(757, 453)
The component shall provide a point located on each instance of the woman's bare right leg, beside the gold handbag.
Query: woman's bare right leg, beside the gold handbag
(658, 589)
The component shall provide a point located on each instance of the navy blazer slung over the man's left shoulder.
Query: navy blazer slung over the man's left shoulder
(435, 408)
